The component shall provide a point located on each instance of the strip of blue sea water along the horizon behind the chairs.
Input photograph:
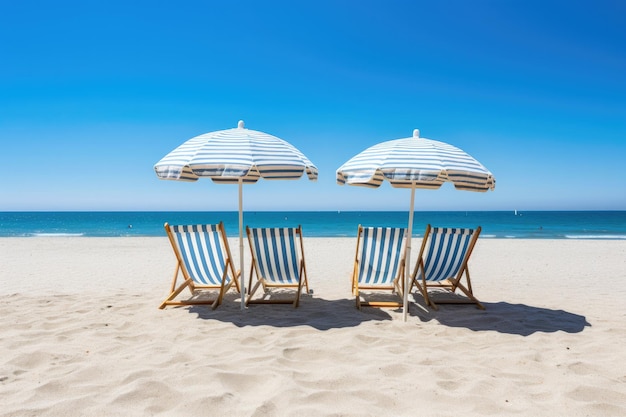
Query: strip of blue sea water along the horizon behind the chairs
(495, 224)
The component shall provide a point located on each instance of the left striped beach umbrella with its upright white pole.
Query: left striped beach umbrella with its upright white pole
(235, 156)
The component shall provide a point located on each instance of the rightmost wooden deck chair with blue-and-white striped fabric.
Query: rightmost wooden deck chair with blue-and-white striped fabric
(442, 263)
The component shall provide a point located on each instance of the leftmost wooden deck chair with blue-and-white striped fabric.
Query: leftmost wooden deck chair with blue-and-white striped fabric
(204, 261)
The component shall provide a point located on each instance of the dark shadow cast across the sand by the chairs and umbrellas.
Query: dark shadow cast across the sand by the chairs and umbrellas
(322, 314)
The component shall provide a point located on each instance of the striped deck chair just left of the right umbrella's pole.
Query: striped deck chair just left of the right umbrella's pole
(379, 264)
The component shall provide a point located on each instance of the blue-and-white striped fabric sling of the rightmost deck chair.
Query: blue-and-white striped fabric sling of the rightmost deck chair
(445, 253)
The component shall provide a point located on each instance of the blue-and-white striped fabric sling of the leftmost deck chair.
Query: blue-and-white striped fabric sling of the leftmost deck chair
(202, 252)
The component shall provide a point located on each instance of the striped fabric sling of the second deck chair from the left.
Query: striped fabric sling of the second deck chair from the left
(276, 253)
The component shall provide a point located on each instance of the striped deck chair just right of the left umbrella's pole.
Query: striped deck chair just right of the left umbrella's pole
(278, 263)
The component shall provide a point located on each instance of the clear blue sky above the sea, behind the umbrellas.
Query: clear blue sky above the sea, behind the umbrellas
(94, 93)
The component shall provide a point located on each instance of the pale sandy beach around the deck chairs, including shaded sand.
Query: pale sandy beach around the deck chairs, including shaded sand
(81, 335)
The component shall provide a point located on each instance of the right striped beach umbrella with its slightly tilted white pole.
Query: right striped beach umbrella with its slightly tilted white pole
(415, 163)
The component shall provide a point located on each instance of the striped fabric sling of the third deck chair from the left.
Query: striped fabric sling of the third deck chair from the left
(381, 255)
